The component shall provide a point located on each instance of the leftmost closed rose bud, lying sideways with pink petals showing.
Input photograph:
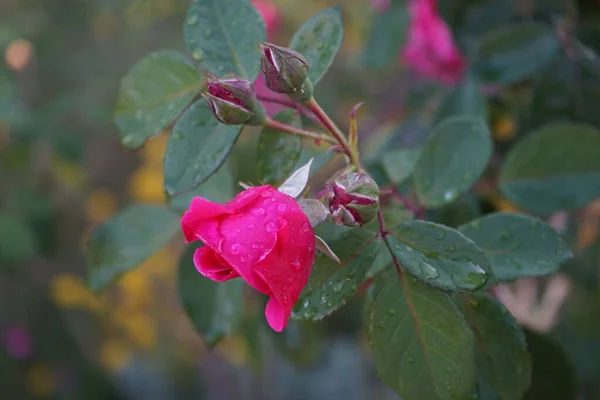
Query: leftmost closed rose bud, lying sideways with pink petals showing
(233, 102)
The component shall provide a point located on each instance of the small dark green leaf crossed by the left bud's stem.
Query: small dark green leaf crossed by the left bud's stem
(278, 152)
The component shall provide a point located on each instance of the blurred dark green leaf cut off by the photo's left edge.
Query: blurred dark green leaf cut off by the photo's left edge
(17, 242)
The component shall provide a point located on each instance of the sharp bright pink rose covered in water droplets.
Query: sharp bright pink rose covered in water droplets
(261, 235)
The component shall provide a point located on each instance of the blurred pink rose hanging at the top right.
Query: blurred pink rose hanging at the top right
(430, 48)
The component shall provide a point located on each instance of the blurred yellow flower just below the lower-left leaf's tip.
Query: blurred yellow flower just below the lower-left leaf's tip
(67, 290)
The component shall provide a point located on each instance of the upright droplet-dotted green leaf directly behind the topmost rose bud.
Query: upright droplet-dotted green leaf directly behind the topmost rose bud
(319, 40)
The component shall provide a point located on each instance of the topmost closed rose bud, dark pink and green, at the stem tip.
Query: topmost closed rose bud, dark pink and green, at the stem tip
(285, 71)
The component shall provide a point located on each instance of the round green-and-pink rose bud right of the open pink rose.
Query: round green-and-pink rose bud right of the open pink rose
(353, 199)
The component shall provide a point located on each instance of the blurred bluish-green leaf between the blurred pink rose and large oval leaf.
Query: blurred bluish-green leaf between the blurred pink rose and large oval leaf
(465, 99)
